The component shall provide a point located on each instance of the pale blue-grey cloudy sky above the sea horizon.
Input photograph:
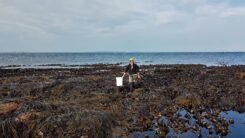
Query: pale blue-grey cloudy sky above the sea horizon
(122, 25)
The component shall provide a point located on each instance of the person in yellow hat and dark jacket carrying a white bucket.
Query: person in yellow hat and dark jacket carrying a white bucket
(132, 70)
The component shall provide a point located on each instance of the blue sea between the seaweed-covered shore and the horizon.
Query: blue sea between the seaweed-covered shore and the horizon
(35, 60)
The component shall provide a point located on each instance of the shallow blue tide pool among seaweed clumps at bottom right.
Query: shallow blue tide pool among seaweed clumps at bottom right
(236, 129)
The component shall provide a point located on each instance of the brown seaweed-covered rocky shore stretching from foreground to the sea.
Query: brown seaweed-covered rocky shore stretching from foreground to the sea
(169, 100)
